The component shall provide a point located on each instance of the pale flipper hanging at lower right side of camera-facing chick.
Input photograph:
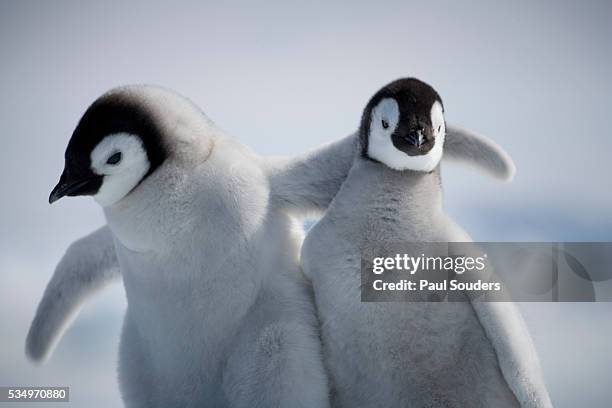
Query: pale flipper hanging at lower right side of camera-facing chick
(516, 354)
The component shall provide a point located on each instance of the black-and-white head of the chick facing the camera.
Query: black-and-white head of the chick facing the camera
(403, 126)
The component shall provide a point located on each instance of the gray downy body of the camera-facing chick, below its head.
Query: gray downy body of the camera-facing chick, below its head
(394, 354)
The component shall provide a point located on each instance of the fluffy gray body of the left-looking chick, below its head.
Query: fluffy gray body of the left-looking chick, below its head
(218, 323)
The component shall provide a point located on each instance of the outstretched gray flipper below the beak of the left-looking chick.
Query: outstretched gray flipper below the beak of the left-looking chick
(87, 266)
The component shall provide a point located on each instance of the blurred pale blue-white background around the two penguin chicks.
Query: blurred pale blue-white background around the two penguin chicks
(284, 77)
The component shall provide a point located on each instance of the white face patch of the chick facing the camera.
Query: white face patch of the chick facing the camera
(380, 144)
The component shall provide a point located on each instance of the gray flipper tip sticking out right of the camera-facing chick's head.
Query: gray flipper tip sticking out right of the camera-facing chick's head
(464, 146)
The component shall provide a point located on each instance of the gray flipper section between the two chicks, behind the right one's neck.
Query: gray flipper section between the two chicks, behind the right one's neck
(309, 181)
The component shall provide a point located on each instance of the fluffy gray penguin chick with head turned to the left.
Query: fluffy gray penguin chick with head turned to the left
(216, 315)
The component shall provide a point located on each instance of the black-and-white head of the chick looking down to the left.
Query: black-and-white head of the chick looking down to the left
(121, 139)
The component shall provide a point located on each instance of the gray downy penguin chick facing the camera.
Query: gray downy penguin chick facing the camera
(420, 354)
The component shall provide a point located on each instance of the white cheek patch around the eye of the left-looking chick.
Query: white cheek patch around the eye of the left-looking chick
(122, 160)
